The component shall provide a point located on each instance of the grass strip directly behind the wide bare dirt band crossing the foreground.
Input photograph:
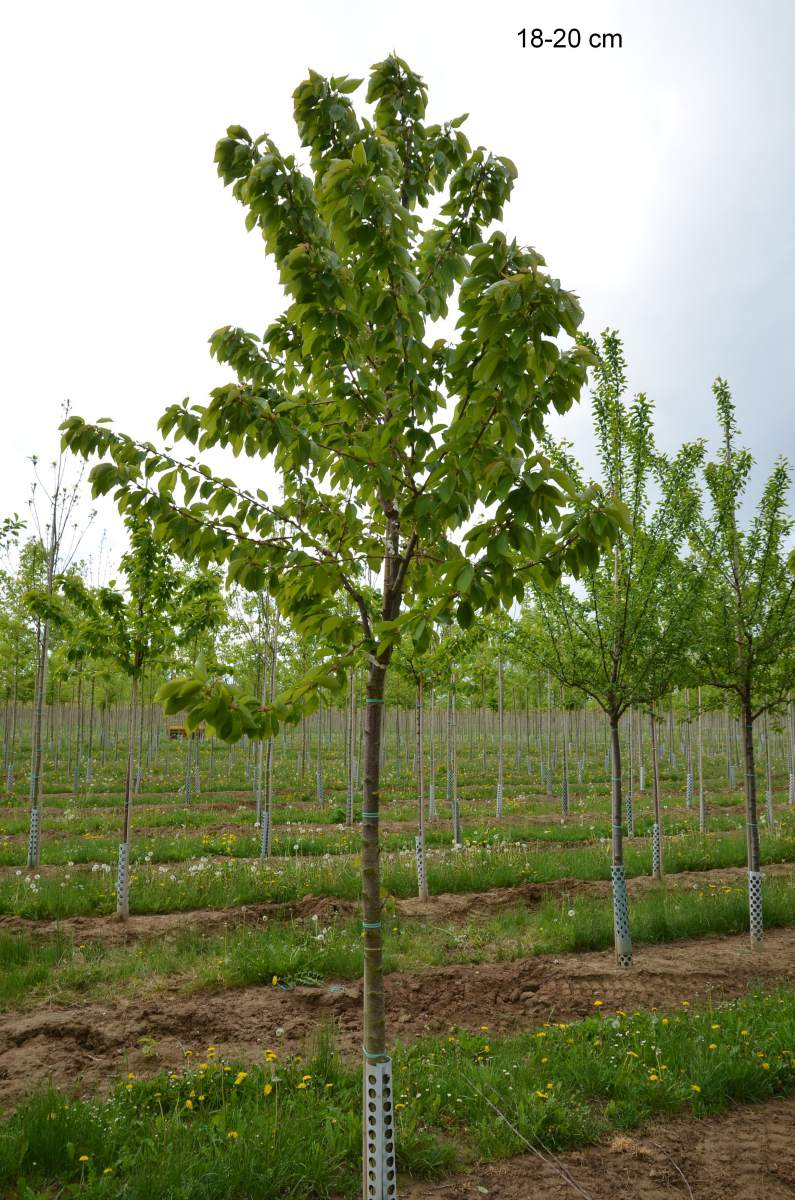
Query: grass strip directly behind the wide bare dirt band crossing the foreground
(312, 952)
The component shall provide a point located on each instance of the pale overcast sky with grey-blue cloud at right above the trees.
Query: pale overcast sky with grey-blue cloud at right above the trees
(656, 179)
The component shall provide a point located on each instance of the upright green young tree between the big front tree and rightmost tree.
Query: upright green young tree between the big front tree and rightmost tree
(620, 638)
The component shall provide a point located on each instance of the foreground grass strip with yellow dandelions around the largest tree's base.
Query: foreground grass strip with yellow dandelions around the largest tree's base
(292, 1129)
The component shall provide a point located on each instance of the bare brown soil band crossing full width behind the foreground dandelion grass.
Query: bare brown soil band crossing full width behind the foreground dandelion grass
(94, 1042)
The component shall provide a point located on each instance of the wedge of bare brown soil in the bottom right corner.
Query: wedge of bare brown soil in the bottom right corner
(748, 1155)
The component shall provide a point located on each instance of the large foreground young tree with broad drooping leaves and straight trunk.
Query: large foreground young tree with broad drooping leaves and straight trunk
(397, 451)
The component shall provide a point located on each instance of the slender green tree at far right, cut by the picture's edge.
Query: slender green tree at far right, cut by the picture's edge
(746, 645)
